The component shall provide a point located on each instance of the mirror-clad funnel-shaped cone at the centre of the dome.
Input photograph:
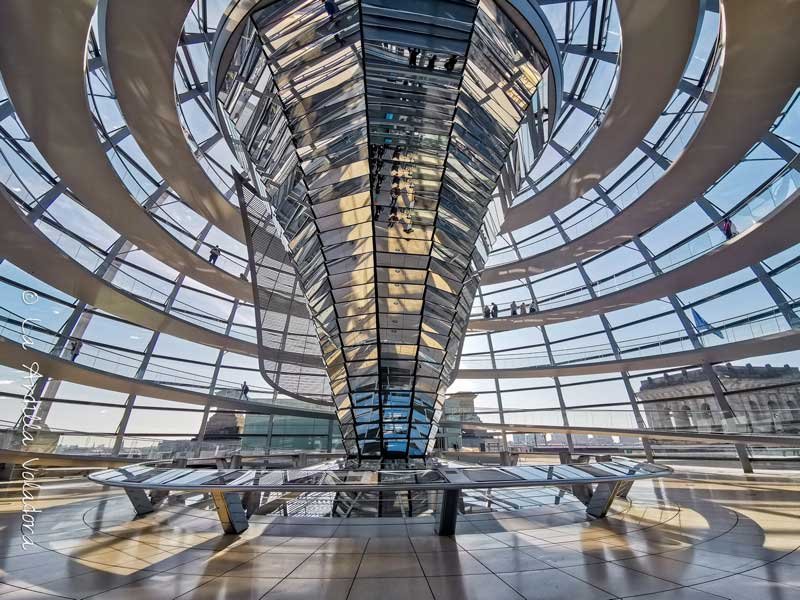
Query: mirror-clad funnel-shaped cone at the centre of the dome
(379, 134)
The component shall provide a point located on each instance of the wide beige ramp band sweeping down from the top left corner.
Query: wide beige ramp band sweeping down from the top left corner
(70, 145)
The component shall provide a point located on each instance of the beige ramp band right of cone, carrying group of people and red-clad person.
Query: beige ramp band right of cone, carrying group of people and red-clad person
(775, 233)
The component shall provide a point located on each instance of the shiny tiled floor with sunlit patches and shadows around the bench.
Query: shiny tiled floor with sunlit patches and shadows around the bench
(705, 534)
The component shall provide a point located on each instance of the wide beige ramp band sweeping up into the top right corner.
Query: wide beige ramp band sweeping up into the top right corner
(761, 71)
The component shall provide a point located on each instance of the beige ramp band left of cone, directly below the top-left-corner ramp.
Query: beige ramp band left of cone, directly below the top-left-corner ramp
(28, 248)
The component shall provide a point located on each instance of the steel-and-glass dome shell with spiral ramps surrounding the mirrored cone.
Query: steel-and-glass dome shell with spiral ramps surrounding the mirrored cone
(676, 118)
